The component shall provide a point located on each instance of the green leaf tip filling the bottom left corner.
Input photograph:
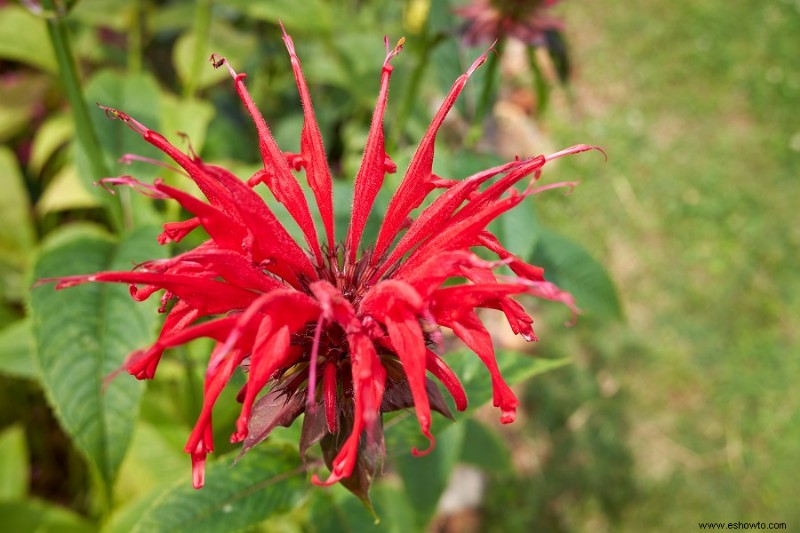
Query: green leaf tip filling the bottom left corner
(38, 515)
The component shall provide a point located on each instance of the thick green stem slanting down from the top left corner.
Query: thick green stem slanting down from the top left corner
(84, 130)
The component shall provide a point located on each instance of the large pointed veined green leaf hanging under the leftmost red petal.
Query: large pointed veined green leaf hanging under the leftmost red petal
(84, 333)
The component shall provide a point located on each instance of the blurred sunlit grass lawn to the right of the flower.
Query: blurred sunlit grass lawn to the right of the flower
(695, 214)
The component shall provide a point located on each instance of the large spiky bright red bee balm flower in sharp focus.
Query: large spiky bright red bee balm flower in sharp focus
(339, 332)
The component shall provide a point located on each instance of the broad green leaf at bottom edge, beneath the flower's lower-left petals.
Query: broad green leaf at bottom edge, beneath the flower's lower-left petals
(267, 481)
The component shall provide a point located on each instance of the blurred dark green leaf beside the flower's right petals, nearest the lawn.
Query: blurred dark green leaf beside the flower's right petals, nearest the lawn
(569, 265)
